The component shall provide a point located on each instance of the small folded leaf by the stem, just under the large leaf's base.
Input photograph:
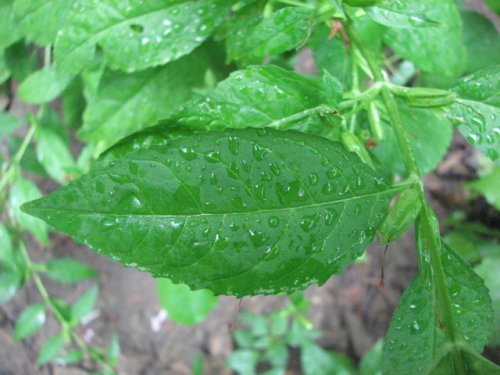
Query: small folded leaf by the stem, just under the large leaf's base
(401, 216)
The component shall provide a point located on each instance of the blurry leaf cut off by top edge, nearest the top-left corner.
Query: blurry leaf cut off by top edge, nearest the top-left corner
(41, 20)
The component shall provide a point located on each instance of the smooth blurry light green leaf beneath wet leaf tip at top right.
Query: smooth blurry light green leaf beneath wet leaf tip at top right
(436, 49)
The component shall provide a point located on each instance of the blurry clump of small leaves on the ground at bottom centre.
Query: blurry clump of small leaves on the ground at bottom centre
(267, 339)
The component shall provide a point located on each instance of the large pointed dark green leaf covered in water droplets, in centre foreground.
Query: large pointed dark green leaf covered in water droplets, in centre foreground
(251, 211)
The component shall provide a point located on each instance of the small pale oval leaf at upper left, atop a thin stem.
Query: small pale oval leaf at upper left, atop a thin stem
(43, 86)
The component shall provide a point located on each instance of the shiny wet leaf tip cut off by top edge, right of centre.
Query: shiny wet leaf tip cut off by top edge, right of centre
(401, 14)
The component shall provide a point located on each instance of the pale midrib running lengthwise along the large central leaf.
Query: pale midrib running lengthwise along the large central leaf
(275, 210)
